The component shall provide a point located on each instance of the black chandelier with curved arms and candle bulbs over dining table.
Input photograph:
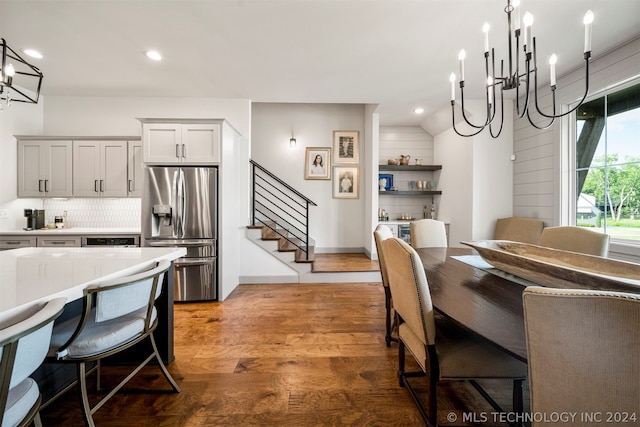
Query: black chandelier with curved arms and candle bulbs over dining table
(513, 79)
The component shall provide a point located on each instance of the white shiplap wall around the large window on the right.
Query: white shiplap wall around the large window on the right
(542, 166)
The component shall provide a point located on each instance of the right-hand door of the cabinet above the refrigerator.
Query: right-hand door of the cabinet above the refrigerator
(201, 143)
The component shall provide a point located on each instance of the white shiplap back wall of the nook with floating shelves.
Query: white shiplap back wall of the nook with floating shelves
(415, 142)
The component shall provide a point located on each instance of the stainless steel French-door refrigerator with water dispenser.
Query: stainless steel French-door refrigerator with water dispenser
(180, 209)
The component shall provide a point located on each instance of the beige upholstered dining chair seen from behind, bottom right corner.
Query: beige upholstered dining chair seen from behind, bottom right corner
(582, 348)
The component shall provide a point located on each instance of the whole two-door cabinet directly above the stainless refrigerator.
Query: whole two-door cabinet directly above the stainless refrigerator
(181, 141)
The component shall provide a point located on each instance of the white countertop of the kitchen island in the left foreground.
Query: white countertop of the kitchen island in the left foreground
(31, 275)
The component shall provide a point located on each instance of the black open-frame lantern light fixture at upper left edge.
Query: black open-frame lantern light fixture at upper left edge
(18, 78)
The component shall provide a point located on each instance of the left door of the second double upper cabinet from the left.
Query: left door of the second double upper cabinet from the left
(86, 168)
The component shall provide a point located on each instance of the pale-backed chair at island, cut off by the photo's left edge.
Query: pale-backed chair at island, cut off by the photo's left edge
(24, 342)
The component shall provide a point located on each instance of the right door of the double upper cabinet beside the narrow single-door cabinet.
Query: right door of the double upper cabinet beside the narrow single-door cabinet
(113, 166)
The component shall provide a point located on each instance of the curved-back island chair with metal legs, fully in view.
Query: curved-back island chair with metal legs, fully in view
(116, 315)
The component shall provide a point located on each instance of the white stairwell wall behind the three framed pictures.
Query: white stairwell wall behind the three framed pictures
(335, 224)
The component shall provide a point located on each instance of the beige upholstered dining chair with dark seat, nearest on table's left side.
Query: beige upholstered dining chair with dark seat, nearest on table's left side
(443, 350)
